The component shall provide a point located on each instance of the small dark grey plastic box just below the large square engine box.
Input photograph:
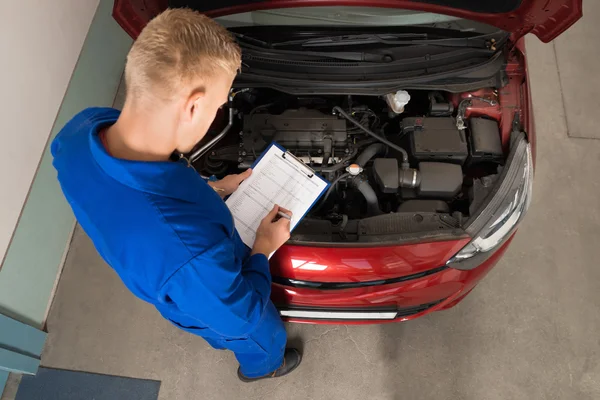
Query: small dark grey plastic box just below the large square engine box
(441, 180)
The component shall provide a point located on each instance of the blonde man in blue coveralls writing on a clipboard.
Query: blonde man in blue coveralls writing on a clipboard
(166, 231)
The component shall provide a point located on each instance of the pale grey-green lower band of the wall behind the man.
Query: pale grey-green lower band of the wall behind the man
(30, 268)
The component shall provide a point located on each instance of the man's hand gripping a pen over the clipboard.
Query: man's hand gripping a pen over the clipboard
(272, 232)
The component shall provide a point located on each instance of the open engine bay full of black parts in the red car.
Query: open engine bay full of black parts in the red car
(410, 163)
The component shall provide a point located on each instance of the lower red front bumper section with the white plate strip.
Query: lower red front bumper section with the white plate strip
(379, 303)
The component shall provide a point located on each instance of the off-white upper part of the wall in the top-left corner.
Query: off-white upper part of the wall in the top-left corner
(40, 42)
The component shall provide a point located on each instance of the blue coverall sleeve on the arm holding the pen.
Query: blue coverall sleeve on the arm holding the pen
(227, 296)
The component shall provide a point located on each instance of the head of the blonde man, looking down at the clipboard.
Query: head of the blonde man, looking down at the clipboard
(182, 65)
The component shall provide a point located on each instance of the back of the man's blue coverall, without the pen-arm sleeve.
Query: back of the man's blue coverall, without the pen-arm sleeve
(146, 219)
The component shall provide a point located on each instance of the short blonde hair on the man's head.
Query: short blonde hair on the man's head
(175, 48)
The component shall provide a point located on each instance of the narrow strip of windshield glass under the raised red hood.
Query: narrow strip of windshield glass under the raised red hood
(352, 16)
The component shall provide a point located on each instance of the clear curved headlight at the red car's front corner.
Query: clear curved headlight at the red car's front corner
(506, 206)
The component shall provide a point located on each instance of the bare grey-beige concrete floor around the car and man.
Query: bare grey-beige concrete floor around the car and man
(528, 331)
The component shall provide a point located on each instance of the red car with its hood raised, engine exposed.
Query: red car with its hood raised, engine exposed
(420, 115)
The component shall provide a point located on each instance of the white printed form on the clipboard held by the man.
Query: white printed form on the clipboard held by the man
(277, 178)
